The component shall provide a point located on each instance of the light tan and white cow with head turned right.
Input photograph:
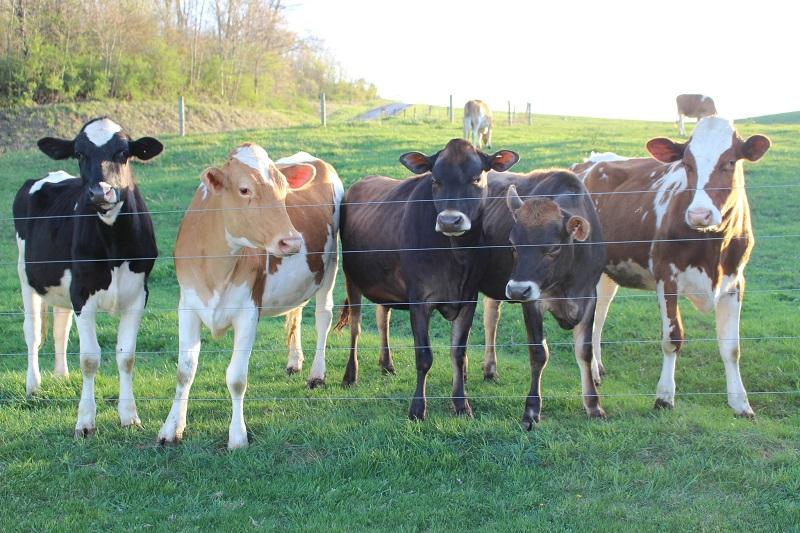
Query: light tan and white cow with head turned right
(259, 239)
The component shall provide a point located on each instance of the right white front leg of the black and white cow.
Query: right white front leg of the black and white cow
(126, 356)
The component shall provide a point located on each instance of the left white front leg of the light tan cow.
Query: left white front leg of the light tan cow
(188, 354)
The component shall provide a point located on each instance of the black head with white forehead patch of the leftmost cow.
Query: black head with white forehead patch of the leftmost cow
(104, 153)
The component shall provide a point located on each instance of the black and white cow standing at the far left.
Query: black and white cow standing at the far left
(87, 244)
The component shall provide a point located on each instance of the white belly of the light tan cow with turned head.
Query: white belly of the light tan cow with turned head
(291, 285)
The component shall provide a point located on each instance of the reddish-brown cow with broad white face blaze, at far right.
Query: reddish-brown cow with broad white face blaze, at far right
(679, 224)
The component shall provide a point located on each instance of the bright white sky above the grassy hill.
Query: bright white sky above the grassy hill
(618, 59)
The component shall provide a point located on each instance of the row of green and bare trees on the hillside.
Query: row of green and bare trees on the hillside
(231, 51)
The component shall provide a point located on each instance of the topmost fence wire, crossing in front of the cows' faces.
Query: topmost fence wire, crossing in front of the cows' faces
(384, 202)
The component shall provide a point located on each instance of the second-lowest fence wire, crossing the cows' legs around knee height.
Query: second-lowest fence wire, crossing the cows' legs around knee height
(395, 347)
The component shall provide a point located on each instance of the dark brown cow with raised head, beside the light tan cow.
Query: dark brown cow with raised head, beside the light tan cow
(416, 244)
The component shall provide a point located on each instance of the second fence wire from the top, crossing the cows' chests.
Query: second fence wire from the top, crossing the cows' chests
(389, 250)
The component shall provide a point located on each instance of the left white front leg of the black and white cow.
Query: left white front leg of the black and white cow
(90, 362)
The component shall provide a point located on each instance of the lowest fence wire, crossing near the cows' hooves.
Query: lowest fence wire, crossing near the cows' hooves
(485, 397)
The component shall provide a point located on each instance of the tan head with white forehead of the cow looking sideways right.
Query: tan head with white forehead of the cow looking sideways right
(252, 195)
